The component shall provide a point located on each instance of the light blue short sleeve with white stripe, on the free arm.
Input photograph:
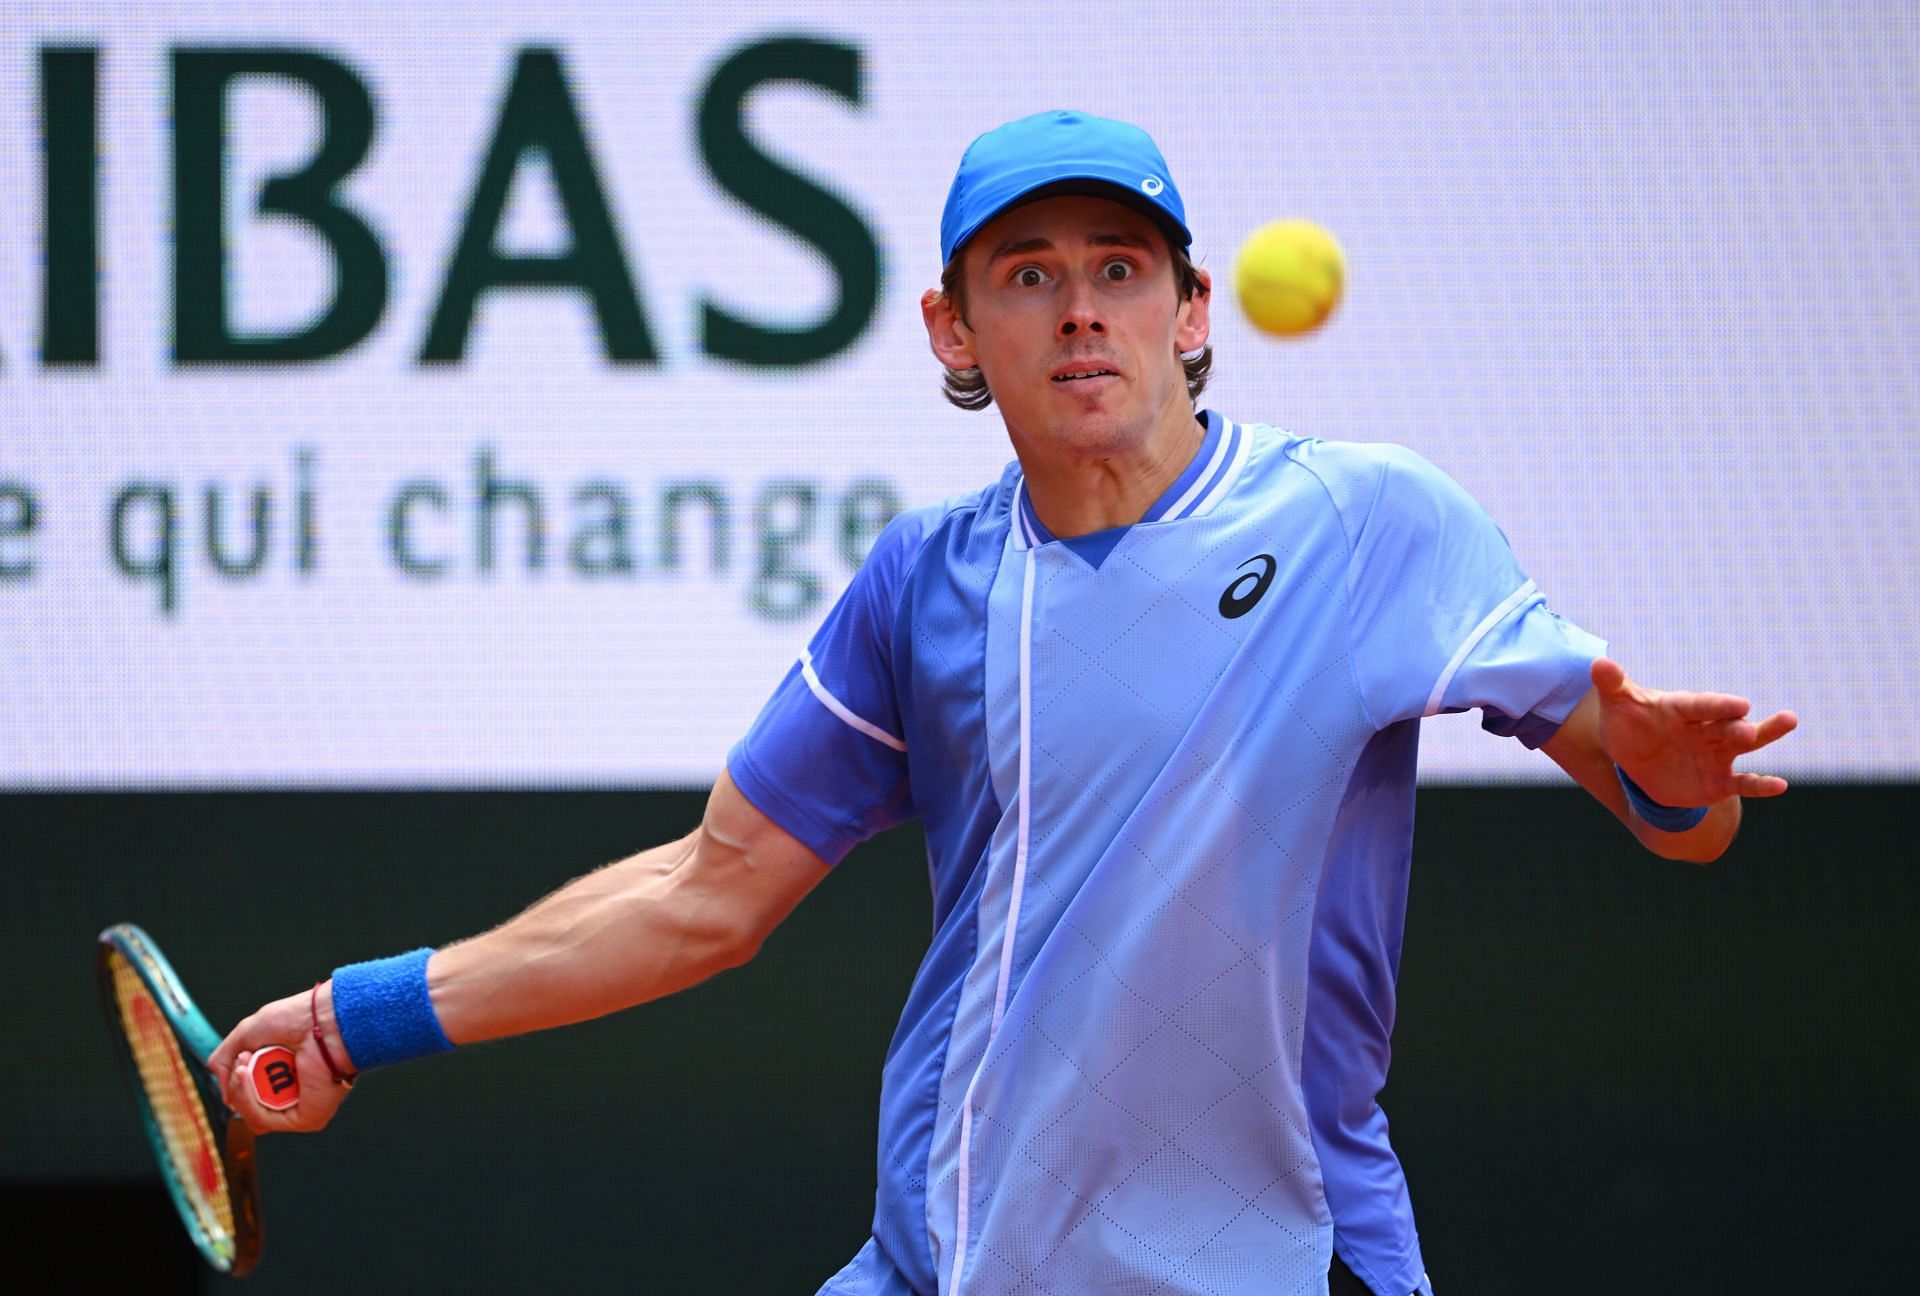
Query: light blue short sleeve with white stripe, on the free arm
(1443, 615)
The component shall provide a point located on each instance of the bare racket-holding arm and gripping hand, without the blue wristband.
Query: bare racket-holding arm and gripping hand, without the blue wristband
(621, 936)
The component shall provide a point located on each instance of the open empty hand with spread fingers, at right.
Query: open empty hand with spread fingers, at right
(1681, 748)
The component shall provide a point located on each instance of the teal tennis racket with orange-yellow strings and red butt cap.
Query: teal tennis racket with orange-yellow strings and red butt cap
(204, 1151)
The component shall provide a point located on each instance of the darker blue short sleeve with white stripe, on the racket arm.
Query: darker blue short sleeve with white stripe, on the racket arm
(827, 759)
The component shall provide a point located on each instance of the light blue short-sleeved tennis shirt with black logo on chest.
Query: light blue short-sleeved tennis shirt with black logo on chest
(1166, 777)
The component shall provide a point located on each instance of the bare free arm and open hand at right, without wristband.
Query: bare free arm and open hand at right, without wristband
(1677, 748)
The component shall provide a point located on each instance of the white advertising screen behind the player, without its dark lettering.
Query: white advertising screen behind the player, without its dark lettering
(1644, 281)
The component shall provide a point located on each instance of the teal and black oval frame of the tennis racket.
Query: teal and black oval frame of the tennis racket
(231, 1138)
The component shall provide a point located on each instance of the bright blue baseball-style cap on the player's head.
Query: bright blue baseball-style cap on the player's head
(1061, 153)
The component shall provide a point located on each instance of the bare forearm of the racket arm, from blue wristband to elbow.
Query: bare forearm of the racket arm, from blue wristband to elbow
(621, 936)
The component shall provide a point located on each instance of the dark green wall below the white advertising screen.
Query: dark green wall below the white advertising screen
(1612, 1074)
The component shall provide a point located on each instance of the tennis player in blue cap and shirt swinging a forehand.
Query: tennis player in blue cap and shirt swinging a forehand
(1155, 696)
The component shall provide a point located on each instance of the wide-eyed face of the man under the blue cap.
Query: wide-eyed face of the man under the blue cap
(1074, 320)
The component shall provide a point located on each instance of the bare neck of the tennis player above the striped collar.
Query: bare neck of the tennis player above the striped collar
(1082, 491)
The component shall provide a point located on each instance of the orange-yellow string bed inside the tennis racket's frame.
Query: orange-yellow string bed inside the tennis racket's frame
(176, 1103)
